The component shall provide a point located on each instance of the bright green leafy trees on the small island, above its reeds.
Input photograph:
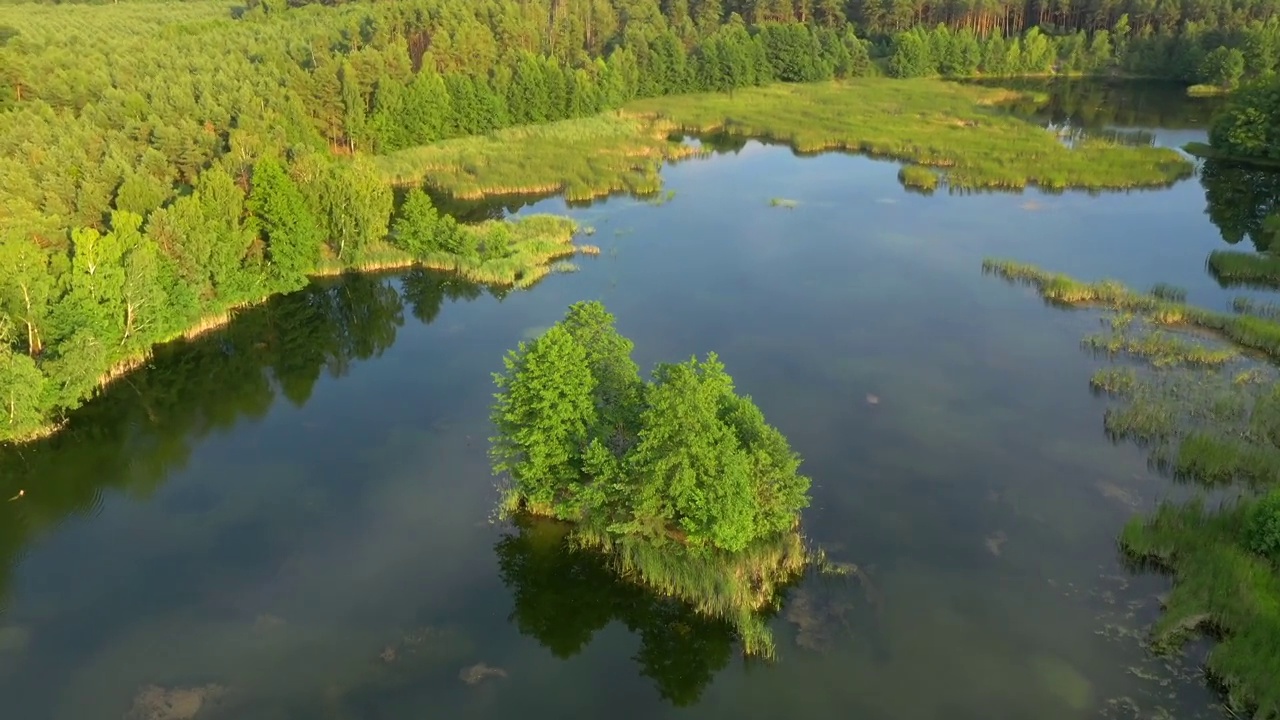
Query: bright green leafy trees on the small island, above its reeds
(680, 459)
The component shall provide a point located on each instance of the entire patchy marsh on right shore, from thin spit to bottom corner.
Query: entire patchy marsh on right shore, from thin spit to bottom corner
(1214, 423)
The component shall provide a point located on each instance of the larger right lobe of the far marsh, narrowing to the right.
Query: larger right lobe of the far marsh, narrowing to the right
(958, 130)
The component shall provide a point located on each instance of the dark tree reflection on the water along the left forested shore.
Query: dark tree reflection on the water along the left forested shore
(143, 429)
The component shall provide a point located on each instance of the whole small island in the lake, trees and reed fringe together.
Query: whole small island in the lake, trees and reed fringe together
(679, 480)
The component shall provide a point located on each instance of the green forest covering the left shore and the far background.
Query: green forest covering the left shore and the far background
(162, 163)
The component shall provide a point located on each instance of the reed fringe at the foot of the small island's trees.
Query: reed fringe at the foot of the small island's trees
(742, 589)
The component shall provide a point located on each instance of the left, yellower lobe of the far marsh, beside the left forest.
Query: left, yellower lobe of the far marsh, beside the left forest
(583, 160)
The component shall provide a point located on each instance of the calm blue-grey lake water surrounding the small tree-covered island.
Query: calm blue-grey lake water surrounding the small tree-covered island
(291, 520)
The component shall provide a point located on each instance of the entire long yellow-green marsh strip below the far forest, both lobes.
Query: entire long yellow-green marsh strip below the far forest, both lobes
(950, 134)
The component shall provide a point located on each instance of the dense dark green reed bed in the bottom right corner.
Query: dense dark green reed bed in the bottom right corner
(1222, 589)
